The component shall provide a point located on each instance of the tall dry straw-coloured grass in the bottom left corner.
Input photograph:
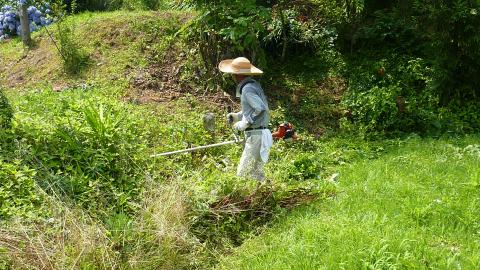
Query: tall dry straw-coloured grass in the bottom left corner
(158, 238)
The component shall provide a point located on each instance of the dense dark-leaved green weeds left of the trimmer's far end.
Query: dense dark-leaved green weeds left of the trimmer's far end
(87, 149)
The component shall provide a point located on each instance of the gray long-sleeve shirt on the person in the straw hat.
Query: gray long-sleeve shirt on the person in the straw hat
(254, 103)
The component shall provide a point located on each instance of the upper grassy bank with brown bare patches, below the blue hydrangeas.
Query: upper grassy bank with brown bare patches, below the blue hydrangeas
(134, 50)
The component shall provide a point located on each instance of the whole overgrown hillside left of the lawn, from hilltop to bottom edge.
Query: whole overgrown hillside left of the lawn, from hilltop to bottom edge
(81, 145)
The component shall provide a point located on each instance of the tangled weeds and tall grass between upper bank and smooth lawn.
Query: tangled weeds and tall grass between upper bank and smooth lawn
(78, 162)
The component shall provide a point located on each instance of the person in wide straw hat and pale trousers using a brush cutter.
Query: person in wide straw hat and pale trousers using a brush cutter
(253, 119)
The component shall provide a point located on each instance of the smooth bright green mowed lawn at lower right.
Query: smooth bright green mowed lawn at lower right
(417, 207)
